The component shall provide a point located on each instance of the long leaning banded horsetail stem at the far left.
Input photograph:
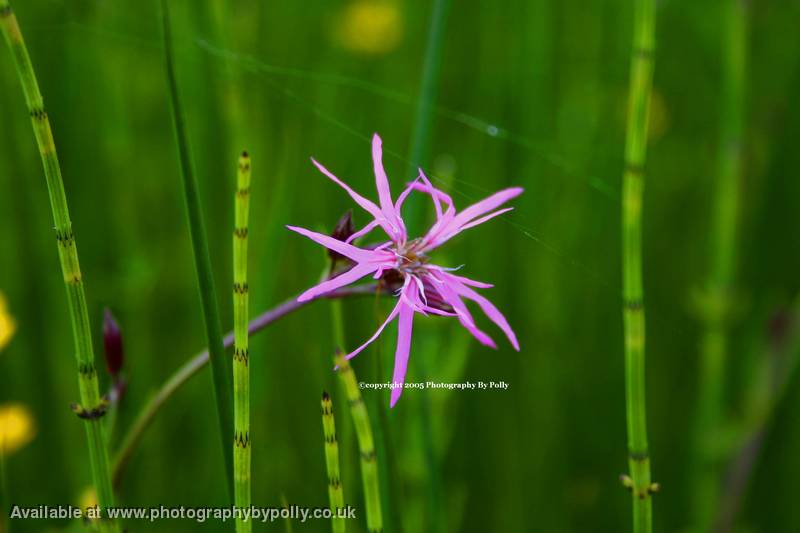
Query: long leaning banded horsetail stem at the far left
(92, 407)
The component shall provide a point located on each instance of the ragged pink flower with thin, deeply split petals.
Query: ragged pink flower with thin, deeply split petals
(423, 287)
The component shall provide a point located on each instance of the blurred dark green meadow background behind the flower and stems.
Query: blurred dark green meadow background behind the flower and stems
(531, 93)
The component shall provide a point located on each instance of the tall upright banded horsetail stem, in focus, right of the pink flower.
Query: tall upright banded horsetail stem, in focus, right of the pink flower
(641, 78)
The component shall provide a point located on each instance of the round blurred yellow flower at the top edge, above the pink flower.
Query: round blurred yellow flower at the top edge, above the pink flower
(369, 27)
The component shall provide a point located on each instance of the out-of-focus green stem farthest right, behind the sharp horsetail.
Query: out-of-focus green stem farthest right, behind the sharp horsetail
(717, 296)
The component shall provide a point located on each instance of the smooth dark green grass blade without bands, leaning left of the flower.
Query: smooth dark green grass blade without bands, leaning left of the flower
(205, 280)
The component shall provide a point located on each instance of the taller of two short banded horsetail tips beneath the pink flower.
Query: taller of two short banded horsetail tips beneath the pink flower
(366, 446)
